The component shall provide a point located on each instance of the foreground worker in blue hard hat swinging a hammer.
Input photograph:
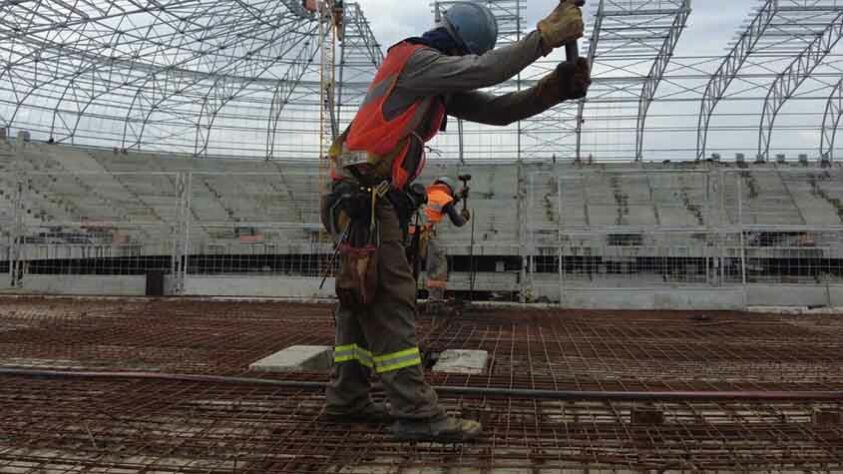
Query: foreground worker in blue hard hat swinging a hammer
(368, 208)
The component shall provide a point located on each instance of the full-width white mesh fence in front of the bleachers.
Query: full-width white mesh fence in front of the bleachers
(577, 231)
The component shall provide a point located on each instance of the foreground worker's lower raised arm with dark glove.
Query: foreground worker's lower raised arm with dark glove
(567, 82)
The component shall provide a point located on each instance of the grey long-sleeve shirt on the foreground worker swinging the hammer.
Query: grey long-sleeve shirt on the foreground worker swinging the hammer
(430, 73)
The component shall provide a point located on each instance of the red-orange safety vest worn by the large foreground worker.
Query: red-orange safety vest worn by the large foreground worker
(372, 132)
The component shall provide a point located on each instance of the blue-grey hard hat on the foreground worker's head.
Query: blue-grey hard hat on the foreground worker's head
(473, 25)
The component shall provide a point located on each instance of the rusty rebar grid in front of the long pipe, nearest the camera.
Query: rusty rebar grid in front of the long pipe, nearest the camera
(131, 426)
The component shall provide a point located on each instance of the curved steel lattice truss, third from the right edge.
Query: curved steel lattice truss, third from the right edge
(729, 68)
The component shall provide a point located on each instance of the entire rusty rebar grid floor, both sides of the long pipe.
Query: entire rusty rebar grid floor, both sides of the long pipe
(123, 426)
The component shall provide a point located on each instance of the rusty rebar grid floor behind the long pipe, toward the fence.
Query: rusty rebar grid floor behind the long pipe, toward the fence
(528, 348)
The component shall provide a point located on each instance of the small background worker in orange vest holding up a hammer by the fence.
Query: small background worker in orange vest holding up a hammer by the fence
(441, 201)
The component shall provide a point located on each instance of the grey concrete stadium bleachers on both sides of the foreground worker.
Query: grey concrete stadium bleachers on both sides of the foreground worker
(280, 199)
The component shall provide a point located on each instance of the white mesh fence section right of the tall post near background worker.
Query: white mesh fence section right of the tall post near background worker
(674, 229)
